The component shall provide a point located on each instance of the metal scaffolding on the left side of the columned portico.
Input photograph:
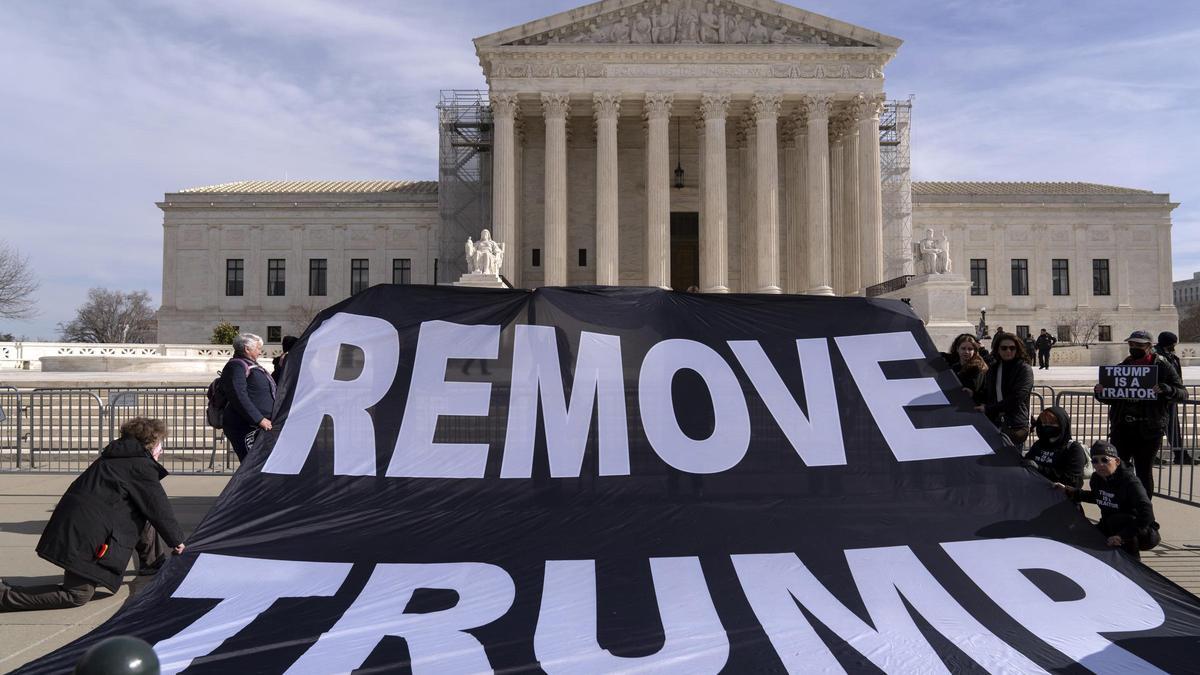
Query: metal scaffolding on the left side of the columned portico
(465, 175)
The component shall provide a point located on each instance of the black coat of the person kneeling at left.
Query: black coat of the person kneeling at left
(110, 504)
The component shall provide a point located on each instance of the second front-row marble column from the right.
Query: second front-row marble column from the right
(820, 278)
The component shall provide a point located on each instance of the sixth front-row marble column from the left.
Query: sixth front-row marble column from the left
(766, 114)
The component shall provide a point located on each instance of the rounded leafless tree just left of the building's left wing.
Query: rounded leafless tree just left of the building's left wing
(112, 316)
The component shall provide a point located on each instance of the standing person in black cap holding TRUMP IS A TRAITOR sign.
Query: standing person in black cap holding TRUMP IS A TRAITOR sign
(1137, 428)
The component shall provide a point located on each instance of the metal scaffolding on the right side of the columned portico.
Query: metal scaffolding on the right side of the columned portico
(896, 175)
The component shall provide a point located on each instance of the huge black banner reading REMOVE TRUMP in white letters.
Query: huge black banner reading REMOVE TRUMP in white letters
(621, 480)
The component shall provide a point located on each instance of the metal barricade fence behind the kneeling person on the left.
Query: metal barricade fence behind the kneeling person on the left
(64, 431)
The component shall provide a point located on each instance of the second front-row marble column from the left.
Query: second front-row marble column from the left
(556, 109)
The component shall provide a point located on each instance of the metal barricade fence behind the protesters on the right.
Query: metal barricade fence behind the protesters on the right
(1177, 463)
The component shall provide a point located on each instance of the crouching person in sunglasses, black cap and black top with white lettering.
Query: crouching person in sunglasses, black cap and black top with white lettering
(1127, 518)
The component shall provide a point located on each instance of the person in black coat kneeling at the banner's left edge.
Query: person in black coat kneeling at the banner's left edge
(113, 510)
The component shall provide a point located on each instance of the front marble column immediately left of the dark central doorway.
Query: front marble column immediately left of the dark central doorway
(657, 110)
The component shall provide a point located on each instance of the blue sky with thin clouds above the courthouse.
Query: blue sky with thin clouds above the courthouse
(110, 104)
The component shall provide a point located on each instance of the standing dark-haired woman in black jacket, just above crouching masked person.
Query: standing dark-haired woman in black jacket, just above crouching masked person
(1007, 390)
